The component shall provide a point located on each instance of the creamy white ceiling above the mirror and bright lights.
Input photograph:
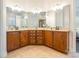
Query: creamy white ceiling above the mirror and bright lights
(29, 5)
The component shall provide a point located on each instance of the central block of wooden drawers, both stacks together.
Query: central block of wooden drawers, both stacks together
(36, 37)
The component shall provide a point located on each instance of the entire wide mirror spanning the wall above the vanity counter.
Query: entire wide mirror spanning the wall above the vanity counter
(51, 18)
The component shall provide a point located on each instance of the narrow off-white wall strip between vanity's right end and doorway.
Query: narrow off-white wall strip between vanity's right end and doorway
(72, 40)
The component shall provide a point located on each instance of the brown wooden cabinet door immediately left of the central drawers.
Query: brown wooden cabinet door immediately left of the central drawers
(24, 38)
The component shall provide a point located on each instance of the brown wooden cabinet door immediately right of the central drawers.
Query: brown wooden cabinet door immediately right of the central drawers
(49, 38)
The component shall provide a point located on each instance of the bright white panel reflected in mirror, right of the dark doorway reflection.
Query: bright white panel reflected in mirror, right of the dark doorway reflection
(50, 19)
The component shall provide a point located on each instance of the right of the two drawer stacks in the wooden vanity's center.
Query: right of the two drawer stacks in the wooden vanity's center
(40, 37)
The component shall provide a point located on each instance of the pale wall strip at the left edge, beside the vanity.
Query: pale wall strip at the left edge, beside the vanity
(3, 48)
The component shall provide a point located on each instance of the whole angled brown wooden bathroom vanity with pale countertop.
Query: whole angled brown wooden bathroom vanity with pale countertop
(55, 39)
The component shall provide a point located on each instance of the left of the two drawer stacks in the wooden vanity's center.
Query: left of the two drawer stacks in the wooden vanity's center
(32, 36)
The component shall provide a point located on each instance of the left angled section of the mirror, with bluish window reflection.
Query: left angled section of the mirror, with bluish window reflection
(16, 19)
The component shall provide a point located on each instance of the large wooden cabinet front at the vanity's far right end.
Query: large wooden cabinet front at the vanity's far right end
(60, 41)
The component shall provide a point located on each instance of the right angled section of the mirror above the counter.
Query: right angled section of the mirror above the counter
(59, 18)
